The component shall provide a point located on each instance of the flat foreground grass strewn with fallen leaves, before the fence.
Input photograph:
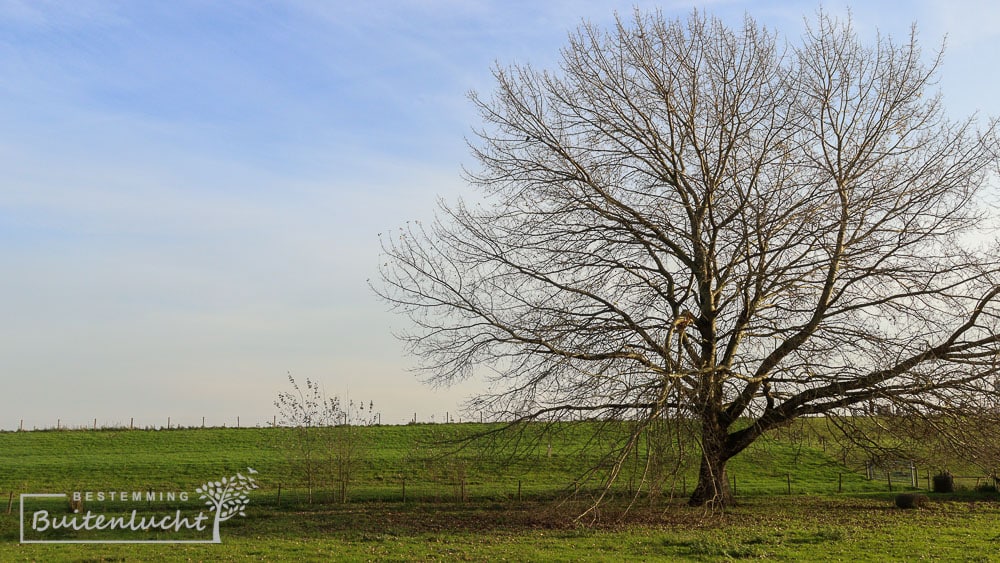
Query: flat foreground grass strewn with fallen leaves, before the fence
(798, 528)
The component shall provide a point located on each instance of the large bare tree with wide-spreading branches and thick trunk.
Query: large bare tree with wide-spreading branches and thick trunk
(713, 224)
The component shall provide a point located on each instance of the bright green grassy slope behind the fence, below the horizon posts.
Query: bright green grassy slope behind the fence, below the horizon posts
(429, 457)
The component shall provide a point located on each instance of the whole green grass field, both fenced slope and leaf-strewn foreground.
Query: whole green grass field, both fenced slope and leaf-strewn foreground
(815, 522)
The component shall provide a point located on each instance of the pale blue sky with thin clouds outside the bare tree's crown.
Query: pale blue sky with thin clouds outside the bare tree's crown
(191, 192)
